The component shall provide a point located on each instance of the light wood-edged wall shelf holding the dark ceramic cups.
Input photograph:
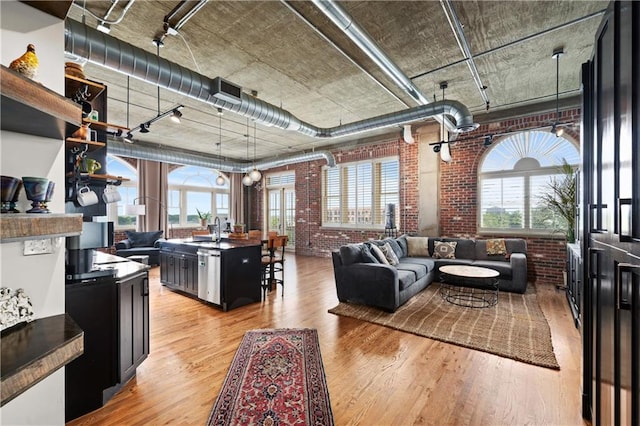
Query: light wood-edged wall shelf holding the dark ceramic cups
(30, 226)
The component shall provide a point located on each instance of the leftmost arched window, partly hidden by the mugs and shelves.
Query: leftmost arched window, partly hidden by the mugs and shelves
(128, 192)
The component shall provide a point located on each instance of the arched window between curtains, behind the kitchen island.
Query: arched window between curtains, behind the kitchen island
(193, 188)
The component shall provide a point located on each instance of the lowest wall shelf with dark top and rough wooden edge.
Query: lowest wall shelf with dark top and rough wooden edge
(33, 351)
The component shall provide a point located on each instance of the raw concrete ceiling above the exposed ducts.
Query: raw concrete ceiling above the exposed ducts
(294, 57)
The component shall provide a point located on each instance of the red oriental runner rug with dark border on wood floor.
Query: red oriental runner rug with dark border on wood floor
(276, 378)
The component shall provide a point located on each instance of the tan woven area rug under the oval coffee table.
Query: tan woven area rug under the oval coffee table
(515, 328)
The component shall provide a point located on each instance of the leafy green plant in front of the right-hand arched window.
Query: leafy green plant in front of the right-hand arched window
(561, 199)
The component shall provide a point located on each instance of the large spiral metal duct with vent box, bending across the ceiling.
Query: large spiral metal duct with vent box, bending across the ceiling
(109, 52)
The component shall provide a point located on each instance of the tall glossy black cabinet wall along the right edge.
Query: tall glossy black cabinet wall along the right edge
(611, 240)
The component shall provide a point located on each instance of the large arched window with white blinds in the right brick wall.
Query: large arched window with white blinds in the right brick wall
(512, 177)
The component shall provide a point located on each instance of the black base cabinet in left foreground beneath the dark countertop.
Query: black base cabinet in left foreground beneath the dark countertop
(113, 312)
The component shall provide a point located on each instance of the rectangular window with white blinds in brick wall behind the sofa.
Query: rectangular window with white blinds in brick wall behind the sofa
(355, 194)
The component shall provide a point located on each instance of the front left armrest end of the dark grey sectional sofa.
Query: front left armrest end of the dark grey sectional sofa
(371, 284)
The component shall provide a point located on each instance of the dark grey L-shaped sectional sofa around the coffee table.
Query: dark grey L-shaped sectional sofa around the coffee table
(363, 279)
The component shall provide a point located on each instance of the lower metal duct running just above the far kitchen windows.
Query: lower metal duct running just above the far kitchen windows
(175, 156)
